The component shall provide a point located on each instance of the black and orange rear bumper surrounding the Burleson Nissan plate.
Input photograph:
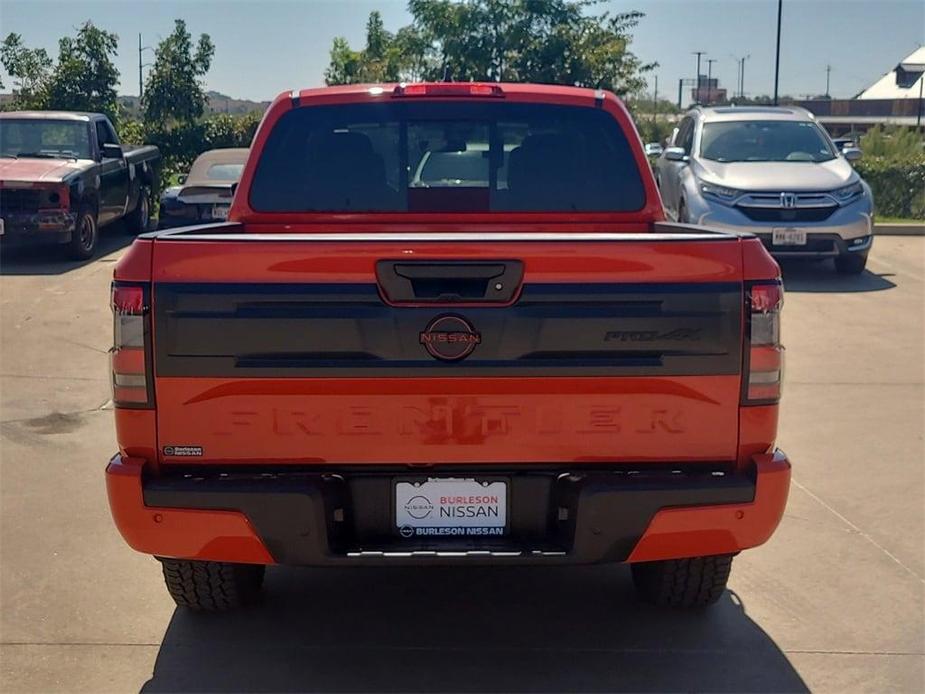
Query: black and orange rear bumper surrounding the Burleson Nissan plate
(338, 517)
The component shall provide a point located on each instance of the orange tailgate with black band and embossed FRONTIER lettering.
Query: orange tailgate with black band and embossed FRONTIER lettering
(380, 349)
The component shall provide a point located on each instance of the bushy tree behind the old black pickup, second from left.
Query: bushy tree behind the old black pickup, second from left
(85, 77)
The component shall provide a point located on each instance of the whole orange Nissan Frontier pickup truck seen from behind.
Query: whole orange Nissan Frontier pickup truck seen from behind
(446, 324)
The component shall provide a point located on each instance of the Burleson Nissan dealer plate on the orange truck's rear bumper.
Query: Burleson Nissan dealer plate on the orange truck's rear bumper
(448, 507)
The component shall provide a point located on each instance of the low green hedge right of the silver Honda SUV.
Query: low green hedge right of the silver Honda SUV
(898, 185)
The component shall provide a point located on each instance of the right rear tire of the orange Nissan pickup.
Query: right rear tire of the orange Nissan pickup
(694, 582)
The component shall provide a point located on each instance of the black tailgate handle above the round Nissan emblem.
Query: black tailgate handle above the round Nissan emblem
(449, 282)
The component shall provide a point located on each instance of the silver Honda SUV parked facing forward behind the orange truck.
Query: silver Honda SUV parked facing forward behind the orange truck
(773, 171)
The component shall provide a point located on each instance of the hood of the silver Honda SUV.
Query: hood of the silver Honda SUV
(777, 176)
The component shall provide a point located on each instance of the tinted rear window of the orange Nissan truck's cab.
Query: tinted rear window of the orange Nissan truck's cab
(447, 157)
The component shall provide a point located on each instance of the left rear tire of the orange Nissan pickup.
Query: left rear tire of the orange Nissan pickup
(210, 585)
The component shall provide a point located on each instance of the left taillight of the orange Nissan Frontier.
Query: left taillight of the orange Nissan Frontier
(130, 355)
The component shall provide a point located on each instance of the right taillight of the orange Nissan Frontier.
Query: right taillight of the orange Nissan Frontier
(764, 355)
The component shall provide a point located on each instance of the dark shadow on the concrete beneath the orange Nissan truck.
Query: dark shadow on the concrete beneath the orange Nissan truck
(466, 629)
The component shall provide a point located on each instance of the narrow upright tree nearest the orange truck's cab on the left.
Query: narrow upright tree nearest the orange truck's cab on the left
(174, 92)
